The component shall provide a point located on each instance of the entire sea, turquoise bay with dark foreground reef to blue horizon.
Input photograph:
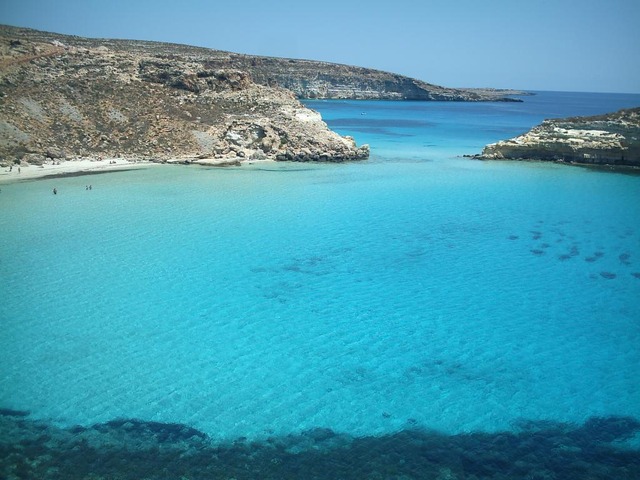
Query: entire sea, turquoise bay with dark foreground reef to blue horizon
(420, 313)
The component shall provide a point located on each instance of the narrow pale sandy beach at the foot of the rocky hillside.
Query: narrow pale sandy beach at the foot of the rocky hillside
(90, 166)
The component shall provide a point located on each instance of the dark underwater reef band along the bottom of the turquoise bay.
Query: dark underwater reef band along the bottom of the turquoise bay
(135, 449)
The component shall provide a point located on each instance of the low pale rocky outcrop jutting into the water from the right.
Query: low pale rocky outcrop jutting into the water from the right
(611, 139)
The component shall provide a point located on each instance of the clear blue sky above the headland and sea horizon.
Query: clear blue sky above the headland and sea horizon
(574, 45)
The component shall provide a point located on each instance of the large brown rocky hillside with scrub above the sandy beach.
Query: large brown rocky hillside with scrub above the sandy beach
(87, 98)
